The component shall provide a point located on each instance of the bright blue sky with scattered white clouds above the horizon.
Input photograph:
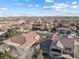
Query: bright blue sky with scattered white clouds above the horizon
(39, 7)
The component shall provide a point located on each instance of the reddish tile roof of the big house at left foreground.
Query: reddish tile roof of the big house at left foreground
(22, 38)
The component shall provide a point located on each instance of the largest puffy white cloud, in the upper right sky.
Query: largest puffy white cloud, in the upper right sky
(58, 7)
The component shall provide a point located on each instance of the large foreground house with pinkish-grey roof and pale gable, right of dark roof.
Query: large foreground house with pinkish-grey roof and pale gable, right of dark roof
(62, 44)
